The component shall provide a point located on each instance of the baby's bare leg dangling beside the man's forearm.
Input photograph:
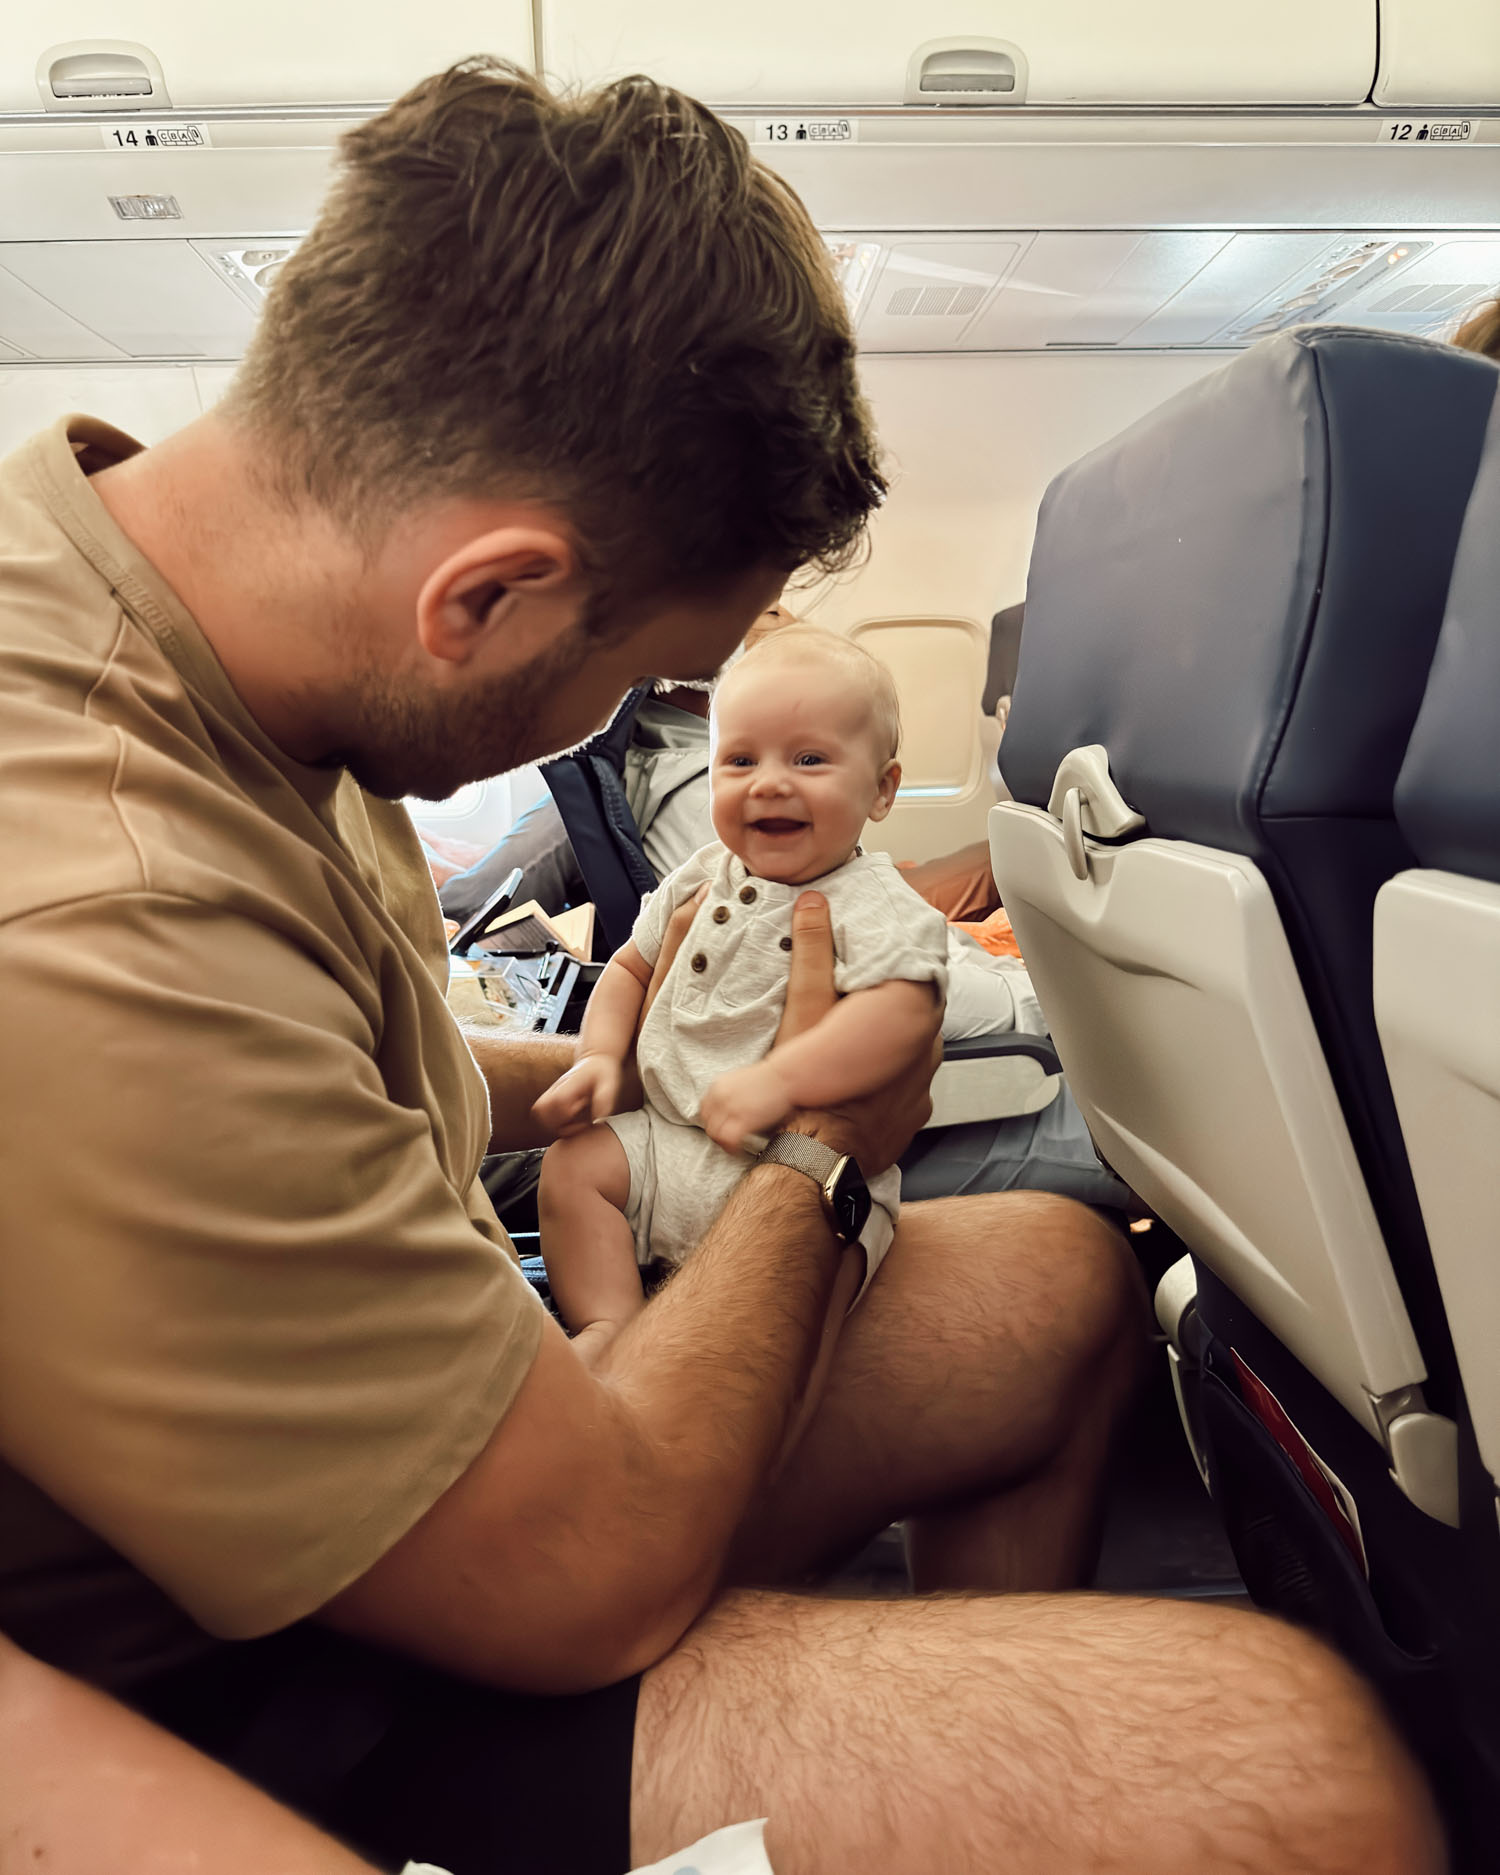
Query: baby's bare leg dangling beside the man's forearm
(586, 1240)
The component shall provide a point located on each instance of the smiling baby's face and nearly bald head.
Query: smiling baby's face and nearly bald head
(796, 770)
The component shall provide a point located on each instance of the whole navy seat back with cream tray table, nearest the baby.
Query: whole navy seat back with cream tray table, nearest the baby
(1229, 625)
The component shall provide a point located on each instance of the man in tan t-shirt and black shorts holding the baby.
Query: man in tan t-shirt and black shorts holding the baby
(556, 395)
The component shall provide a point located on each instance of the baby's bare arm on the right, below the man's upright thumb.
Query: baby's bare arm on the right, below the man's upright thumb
(856, 1049)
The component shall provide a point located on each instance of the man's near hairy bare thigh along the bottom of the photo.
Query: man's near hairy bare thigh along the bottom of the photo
(1030, 1735)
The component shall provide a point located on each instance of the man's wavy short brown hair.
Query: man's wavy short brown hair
(597, 301)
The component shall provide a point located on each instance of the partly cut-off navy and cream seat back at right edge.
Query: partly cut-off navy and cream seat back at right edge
(1437, 959)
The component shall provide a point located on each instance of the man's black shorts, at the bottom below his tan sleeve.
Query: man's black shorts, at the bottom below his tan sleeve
(410, 1763)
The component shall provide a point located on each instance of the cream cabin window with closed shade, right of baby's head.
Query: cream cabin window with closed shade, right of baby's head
(946, 794)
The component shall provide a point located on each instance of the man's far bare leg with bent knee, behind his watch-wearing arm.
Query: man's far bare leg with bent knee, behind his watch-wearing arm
(974, 1392)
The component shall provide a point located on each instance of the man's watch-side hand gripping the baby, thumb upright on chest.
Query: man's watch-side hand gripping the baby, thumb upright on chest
(878, 1128)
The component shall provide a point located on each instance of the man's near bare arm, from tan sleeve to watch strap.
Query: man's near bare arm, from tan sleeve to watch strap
(597, 1523)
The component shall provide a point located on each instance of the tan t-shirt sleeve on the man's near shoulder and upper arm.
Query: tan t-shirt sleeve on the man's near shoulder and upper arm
(248, 1332)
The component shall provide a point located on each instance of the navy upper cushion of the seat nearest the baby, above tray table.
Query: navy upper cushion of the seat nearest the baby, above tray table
(1238, 597)
